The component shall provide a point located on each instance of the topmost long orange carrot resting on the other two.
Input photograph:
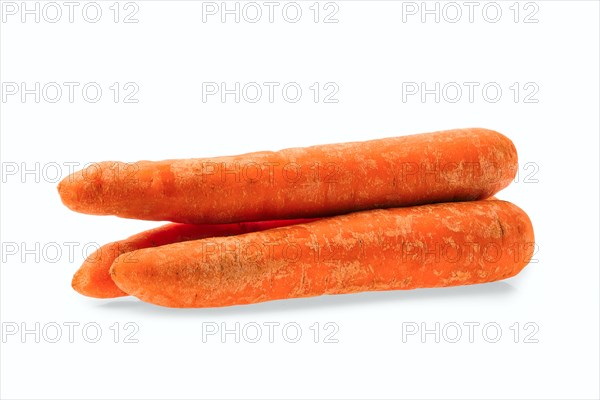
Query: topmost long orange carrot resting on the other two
(454, 165)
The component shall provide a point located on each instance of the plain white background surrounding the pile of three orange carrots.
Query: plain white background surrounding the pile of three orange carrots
(368, 54)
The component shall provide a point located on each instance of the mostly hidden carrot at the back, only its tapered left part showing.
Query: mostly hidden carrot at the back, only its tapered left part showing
(93, 279)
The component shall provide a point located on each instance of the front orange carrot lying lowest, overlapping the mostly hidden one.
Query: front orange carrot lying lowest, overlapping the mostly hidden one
(436, 245)
